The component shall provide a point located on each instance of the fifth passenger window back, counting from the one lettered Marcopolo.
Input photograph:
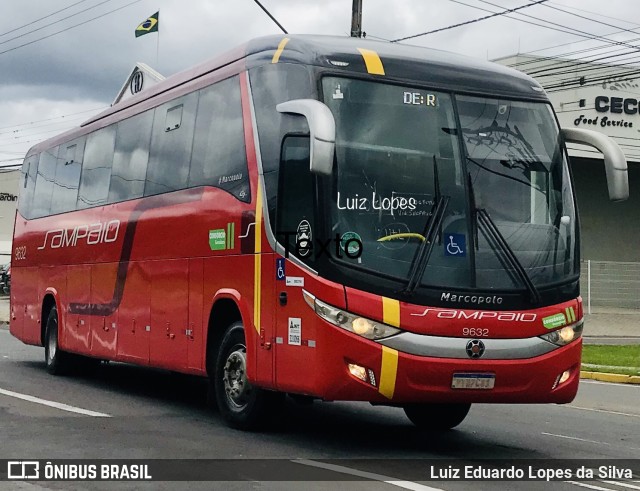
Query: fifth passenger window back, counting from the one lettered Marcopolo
(65, 190)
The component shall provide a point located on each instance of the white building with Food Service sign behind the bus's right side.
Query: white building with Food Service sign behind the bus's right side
(603, 98)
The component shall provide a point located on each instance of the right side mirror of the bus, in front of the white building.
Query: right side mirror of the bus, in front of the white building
(615, 163)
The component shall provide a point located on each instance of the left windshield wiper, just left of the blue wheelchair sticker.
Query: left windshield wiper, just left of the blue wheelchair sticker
(430, 233)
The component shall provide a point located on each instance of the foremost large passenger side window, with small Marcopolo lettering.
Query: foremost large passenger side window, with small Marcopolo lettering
(219, 156)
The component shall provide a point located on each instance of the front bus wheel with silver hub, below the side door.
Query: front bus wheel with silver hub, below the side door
(241, 405)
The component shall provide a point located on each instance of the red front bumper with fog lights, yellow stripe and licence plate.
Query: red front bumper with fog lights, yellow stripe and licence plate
(358, 369)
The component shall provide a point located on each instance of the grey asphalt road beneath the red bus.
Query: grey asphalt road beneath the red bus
(152, 414)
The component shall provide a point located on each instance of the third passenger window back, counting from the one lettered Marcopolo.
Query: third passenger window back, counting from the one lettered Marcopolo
(131, 157)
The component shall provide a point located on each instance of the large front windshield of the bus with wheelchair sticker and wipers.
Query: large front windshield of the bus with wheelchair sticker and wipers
(446, 190)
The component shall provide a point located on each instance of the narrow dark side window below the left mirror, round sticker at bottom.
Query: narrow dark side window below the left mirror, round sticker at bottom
(294, 216)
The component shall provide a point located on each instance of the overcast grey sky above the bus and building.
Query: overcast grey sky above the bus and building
(53, 77)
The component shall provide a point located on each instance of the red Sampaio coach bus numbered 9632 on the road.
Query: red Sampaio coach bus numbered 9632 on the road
(329, 218)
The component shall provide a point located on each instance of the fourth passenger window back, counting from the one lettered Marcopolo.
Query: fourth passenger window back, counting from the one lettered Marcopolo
(96, 173)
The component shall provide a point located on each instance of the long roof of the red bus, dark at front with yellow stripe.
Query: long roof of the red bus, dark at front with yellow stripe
(439, 70)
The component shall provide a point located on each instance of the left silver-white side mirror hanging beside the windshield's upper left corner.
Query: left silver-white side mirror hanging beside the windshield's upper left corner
(323, 131)
